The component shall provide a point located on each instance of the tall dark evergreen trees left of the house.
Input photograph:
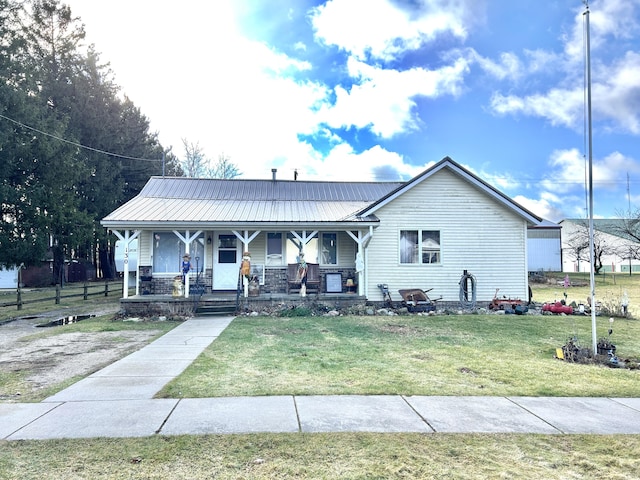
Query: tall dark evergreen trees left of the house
(72, 147)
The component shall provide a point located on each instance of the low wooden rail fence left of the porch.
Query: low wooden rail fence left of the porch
(70, 290)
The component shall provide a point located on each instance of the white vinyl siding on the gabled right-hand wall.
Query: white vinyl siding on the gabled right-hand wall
(477, 234)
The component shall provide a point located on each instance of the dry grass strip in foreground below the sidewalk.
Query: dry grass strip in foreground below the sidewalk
(344, 456)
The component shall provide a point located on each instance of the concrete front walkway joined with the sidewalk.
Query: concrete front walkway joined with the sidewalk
(118, 402)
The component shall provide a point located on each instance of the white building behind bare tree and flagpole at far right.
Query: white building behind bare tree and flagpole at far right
(607, 232)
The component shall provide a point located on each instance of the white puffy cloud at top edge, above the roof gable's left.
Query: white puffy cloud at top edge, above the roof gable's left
(383, 30)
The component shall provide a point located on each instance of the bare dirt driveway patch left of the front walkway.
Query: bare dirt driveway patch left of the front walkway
(54, 359)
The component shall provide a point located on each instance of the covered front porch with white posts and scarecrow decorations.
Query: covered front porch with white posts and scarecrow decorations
(253, 262)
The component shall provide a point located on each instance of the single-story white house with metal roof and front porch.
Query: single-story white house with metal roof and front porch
(423, 233)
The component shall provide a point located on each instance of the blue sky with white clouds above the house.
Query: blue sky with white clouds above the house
(379, 90)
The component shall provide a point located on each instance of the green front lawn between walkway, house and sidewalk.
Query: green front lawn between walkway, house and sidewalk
(411, 355)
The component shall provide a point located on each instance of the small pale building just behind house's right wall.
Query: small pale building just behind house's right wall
(544, 247)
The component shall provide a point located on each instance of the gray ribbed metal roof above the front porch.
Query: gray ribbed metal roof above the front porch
(185, 200)
